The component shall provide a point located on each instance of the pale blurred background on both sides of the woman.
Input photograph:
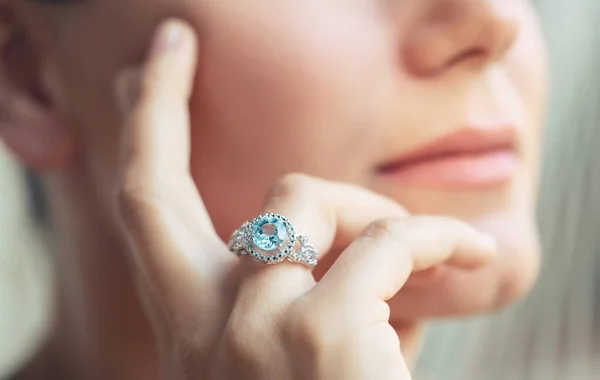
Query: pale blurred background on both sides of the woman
(553, 334)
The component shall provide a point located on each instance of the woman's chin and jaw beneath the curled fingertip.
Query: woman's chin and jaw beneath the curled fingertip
(454, 292)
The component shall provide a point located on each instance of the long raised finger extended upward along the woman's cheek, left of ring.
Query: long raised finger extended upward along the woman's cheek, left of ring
(175, 247)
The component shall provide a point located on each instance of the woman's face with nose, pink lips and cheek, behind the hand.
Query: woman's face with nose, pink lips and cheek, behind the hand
(354, 91)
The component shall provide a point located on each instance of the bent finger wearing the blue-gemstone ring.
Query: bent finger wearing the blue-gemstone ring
(328, 213)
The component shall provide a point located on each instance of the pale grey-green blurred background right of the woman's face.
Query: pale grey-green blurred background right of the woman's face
(555, 334)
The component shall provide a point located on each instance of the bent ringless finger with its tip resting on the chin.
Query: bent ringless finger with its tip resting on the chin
(378, 263)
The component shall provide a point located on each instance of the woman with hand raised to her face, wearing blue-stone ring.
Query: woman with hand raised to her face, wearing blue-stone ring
(436, 106)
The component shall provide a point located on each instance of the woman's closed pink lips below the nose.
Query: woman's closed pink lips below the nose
(467, 159)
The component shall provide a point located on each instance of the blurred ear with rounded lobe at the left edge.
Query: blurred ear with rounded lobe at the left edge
(29, 124)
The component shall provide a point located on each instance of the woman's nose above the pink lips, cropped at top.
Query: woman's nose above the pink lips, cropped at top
(458, 33)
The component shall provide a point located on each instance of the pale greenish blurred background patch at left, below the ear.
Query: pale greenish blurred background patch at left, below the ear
(25, 271)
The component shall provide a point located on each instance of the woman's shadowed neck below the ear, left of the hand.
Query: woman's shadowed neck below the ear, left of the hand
(101, 329)
